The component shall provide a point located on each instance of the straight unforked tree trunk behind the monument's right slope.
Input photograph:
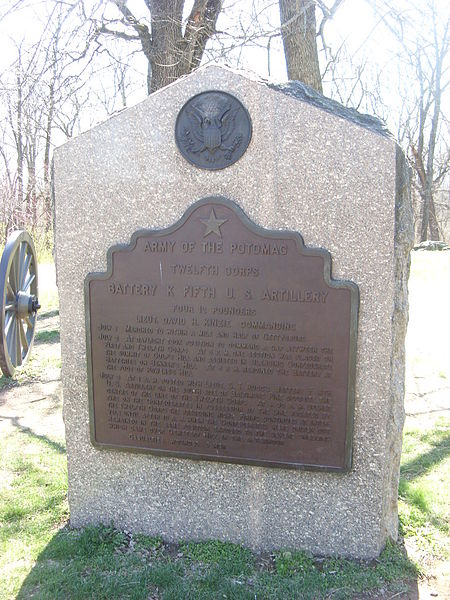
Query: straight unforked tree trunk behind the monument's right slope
(298, 30)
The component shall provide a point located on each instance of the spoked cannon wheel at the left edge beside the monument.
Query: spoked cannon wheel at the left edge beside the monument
(18, 294)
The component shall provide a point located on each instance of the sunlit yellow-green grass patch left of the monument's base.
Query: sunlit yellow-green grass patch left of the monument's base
(33, 486)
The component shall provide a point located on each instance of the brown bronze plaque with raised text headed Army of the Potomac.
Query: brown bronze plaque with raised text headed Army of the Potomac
(216, 339)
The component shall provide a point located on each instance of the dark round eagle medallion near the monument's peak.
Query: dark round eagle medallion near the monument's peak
(213, 130)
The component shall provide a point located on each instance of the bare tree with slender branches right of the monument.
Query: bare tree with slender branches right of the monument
(423, 42)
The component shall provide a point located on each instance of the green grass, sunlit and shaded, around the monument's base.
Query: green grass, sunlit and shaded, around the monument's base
(41, 557)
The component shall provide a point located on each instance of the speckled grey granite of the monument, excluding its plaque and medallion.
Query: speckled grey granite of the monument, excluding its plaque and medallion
(305, 170)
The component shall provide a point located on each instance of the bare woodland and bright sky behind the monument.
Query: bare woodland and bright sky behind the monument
(68, 64)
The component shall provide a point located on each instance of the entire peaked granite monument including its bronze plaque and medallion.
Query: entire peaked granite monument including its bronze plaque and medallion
(232, 262)
